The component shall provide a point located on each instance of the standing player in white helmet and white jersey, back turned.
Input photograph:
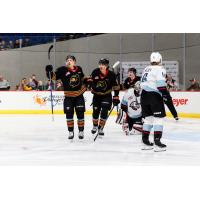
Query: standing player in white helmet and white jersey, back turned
(154, 89)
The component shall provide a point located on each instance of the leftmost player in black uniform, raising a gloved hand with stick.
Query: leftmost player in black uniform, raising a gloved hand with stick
(72, 78)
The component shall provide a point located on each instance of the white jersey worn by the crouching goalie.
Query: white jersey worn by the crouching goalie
(133, 104)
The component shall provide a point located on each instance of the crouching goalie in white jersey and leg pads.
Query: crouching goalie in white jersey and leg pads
(130, 114)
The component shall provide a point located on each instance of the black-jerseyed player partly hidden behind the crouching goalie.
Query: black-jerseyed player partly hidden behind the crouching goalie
(132, 78)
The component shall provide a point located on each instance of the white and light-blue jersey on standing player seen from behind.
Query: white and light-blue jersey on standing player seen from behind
(153, 76)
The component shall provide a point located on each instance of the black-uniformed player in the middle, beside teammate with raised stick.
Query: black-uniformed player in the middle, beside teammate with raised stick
(103, 81)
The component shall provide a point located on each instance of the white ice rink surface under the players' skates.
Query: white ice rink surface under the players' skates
(36, 140)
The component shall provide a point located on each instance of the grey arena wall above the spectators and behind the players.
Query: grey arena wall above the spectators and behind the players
(19, 63)
